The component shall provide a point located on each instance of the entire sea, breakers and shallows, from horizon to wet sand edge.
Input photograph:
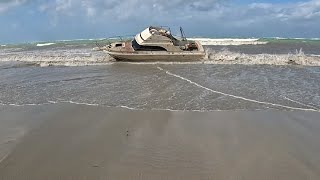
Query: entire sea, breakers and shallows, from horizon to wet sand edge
(255, 86)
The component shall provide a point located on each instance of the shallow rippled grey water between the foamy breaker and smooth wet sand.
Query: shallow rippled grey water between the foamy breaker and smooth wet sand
(193, 87)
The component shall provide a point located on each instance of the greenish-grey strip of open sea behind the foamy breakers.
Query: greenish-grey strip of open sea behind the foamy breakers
(274, 45)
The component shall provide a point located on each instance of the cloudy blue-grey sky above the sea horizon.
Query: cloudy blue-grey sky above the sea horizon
(46, 20)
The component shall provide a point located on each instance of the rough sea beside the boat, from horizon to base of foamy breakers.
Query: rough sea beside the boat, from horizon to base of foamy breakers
(80, 52)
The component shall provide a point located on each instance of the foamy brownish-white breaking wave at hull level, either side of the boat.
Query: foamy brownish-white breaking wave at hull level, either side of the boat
(84, 57)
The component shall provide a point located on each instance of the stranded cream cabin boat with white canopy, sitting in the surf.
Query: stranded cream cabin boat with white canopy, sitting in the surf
(156, 44)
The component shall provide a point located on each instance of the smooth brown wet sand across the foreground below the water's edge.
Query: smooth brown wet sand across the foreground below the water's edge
(68, 141)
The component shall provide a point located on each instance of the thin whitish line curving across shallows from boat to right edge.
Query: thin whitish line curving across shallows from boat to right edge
(234, 96)
